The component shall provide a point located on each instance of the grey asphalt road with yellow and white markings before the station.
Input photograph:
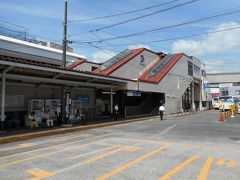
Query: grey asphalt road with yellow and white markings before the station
(188, 147)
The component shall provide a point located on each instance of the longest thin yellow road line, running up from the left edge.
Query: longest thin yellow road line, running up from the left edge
(46, 154)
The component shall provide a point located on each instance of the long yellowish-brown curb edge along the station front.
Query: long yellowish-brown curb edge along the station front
(26, 136)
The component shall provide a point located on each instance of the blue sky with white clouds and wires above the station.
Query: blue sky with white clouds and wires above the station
(219, 51)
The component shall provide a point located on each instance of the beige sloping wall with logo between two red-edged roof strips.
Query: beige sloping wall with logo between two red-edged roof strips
(131, 69)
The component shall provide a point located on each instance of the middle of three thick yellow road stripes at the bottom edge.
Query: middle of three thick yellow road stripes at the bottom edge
(178, 168)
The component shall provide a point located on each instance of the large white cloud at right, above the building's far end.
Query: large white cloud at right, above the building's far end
(211, 43)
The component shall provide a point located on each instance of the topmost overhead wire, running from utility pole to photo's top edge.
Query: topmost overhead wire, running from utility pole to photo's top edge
(123, 13)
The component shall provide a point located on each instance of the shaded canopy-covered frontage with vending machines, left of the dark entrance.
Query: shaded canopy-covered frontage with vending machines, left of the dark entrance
(32, 86)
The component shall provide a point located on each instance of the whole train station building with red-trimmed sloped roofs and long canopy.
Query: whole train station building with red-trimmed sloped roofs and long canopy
(138, 80)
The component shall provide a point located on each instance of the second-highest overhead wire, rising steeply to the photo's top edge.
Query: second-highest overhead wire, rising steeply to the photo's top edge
(140, 17)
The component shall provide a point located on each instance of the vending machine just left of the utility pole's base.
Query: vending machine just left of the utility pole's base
(51, 105)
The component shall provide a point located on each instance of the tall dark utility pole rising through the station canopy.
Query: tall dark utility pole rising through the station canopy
(63, 107)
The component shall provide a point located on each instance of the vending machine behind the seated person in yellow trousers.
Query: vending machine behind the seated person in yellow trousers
(36, 106)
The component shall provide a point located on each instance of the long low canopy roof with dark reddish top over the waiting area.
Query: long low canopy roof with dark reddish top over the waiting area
(24, 70)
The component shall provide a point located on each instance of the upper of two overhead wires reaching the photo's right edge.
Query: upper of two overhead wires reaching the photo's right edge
(167, 27)
